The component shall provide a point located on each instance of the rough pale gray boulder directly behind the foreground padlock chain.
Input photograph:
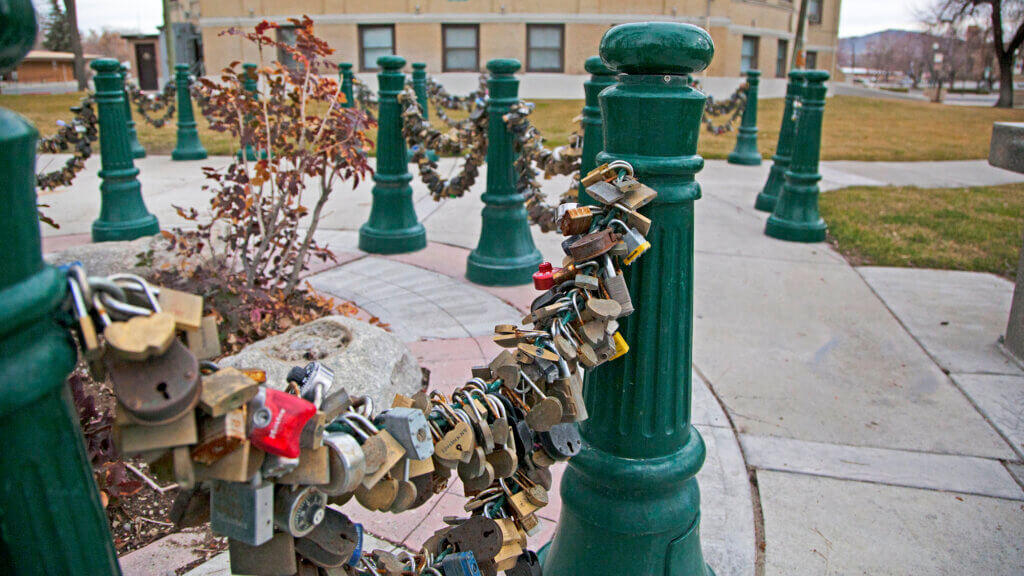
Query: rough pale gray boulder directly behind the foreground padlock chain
(366, 360)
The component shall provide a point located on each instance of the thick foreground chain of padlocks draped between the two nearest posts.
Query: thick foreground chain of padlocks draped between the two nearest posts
(277, 460)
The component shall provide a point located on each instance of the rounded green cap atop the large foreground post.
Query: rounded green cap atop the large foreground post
(657, 48)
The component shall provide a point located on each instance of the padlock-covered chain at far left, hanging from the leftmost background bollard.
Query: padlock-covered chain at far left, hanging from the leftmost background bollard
(77, 137)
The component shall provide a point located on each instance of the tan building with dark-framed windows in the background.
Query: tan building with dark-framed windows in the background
(548, 36)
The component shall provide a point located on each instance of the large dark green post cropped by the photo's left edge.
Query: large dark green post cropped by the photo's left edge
(52, 520)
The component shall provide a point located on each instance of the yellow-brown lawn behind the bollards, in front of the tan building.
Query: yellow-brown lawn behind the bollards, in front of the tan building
(855, 129)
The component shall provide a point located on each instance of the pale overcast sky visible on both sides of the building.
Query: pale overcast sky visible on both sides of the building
(859, 17)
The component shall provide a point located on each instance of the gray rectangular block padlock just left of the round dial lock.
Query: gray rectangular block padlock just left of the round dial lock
(242, 512)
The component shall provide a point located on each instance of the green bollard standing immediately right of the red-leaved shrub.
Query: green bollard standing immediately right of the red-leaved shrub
(394, 227)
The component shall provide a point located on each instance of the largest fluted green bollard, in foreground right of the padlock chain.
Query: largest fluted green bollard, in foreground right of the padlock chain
(630, 500)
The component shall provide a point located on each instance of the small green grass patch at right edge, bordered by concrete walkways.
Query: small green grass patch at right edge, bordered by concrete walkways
(975, 229)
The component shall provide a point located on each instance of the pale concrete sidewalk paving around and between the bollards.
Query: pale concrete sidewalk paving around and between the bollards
(859, 421)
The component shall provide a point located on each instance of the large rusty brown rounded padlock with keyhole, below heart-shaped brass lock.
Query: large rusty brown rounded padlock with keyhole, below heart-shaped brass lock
(159, 390)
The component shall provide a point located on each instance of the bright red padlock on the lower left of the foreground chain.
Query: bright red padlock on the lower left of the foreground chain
(276, 422)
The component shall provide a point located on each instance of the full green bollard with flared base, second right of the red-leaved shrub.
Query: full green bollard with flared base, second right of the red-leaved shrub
(505, 255)
